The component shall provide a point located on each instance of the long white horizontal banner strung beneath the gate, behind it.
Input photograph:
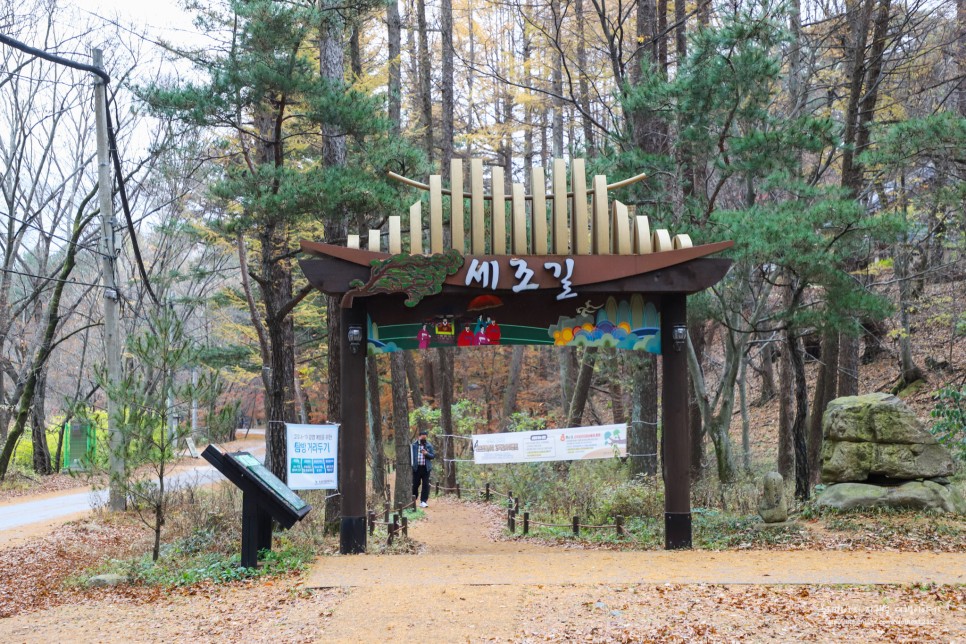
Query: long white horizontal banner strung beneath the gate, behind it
(572, 444)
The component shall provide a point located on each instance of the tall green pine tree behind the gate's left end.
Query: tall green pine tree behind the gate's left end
(272, 114)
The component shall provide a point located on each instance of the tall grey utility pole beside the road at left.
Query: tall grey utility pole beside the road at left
(118, 501)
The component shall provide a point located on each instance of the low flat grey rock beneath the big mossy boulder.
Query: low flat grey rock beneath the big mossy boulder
(914, 495)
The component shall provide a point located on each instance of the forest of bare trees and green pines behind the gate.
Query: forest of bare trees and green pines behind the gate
(826, 139)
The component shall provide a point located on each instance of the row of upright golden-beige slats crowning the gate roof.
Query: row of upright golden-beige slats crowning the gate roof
(571, 219)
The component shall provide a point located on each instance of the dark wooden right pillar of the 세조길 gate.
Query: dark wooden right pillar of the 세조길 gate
(674, 397)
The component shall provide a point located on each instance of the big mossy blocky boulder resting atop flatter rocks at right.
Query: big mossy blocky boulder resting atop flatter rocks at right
(877, 435)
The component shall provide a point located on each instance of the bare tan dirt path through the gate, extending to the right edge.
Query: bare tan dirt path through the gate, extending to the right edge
(466, 586)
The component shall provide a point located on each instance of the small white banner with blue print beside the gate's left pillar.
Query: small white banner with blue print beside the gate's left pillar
(312, 456)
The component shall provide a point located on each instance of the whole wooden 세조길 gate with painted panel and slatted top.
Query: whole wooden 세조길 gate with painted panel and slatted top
(565, 268)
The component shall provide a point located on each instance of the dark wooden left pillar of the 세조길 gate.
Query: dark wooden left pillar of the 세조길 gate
(352, 433)
